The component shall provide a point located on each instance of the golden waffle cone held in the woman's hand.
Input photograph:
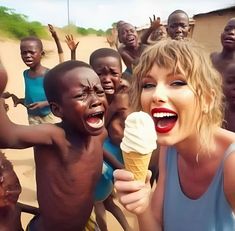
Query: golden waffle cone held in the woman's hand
(137, 164)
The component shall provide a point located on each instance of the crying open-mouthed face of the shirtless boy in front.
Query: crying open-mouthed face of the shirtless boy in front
(83, 102)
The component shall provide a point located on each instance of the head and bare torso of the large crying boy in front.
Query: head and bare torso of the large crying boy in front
(65, 188)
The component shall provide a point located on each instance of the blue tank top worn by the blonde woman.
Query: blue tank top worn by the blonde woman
(210, 212)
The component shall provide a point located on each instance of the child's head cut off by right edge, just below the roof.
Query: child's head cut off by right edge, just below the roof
(228, 35)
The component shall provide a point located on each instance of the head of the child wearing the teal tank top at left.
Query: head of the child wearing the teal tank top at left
(31, 50)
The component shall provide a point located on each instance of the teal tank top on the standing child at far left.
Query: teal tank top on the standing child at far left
(34, 92)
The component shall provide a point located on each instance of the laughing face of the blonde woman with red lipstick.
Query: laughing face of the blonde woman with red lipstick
(172, 104)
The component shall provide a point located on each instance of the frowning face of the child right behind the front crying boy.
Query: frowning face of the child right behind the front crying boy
(109, 71)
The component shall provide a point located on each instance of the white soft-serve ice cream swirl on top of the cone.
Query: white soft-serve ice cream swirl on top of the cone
(139, 134)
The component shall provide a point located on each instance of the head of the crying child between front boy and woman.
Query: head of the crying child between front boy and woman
(107, 64)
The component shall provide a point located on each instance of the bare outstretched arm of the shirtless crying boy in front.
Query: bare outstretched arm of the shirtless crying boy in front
(23, 136)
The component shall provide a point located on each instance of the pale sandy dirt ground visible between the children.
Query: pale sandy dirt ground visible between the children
(23, 159)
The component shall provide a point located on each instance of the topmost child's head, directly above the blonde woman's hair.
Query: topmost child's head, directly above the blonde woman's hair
(178, 25)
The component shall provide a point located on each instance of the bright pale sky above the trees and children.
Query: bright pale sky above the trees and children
(101, 14)
